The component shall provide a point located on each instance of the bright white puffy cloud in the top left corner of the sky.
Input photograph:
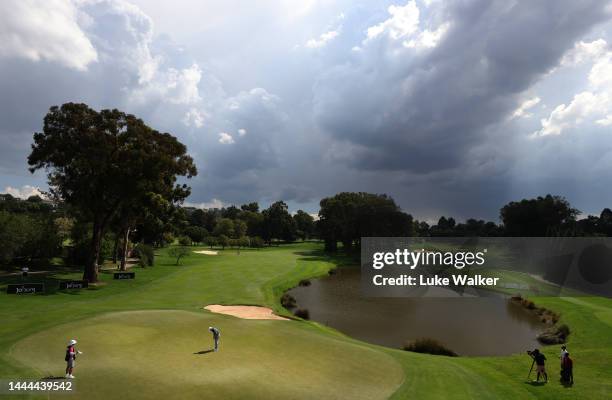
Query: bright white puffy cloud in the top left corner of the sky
(44, 30)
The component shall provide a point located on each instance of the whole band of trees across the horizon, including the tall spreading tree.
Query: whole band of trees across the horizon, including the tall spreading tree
(113, 191)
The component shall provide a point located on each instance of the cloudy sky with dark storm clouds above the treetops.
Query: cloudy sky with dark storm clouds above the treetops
(450, 107)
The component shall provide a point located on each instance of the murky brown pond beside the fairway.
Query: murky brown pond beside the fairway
(470, 326)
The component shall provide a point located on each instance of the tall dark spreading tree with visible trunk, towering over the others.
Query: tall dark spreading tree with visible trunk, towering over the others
(100, 161)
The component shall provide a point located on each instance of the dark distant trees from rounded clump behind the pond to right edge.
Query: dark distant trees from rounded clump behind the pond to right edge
(346, 217)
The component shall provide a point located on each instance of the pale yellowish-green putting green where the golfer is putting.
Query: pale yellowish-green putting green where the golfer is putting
(153, 354)
